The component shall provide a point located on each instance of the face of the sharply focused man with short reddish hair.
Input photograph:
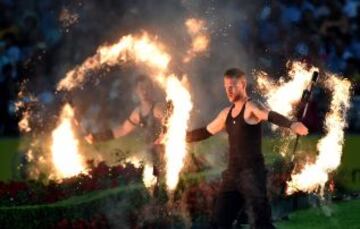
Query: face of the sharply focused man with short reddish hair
(235, 88)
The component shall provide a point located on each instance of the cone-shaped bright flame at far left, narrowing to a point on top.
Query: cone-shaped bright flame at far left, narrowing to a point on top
(66, 157)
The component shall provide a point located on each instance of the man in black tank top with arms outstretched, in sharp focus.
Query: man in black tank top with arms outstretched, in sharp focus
(244, 180)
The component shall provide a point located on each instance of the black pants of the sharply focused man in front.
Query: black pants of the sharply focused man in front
(244, 190)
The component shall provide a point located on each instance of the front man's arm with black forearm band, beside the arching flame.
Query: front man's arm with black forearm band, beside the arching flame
(214, 127)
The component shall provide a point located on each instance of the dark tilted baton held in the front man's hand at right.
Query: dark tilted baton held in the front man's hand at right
(305, 100)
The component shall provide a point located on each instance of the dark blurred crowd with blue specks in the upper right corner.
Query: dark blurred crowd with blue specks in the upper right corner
(324, 32)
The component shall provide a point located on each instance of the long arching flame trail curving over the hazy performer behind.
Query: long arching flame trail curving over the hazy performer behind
(145, 50)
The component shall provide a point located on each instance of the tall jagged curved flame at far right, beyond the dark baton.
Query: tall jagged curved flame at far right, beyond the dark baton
(314, 176)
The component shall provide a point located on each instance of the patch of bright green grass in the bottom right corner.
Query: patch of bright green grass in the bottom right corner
(340, 215)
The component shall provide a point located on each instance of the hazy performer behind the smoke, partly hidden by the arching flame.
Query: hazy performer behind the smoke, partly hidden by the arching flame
(147, 116)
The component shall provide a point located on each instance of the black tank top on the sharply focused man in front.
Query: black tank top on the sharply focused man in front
(244, 143)
